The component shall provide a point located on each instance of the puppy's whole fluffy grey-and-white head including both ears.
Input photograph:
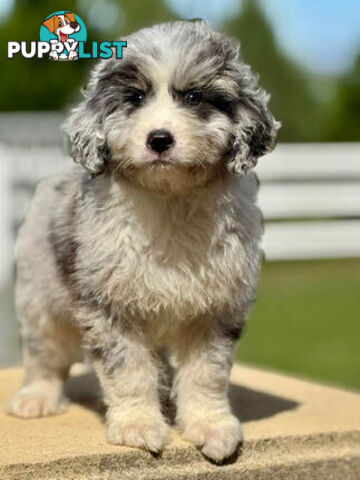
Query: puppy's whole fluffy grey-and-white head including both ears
(180, 109)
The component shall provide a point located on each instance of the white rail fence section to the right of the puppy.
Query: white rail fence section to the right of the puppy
(310, 197)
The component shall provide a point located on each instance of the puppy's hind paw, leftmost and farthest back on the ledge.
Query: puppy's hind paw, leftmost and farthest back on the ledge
(32, 402)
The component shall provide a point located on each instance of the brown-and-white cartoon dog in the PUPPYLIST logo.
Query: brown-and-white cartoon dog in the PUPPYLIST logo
(62, 26)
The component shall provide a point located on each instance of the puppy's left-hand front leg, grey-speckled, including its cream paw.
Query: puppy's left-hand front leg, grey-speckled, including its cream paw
(129, 378)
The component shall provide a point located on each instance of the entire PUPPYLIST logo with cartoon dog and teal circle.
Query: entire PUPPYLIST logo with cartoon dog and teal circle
(62, 38)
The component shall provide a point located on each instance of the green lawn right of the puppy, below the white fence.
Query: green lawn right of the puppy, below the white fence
(307, 321)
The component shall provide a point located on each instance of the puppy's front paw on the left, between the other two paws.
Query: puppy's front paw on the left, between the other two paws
(150, 433)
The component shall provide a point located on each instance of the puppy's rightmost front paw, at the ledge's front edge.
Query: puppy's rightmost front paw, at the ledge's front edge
(218, 438)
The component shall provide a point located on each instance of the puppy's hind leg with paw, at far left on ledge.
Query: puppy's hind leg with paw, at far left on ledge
(49, 349)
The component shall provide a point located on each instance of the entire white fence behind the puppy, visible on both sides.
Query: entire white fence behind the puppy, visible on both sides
(309, 194)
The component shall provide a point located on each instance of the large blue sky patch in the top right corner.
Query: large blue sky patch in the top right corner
(323, 34)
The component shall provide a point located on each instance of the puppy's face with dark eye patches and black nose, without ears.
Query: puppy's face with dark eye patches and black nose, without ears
(170, 130)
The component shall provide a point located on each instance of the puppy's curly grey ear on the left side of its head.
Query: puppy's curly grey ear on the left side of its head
(87, 138)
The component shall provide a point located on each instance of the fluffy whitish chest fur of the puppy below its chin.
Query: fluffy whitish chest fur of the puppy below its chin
(161, 265)
